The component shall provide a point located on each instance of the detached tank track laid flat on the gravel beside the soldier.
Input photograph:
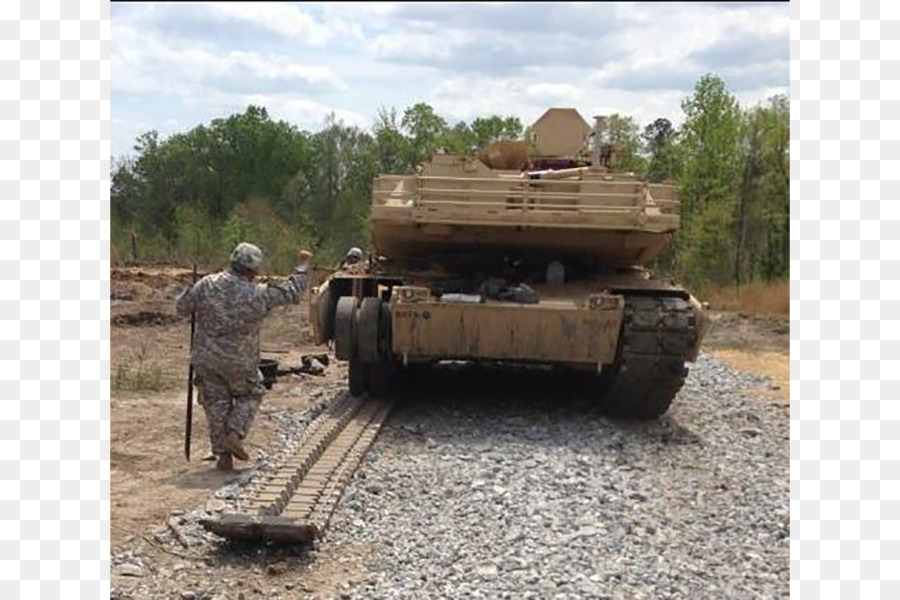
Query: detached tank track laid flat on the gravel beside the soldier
(294, 503)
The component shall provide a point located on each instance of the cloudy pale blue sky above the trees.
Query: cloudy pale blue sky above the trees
(175, 66)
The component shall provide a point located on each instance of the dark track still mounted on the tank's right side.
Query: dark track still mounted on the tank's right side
(658, 334)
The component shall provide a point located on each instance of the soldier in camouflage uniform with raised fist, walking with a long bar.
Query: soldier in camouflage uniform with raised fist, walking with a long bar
(229, 309)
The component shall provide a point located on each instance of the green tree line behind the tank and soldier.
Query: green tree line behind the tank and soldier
(192, 196)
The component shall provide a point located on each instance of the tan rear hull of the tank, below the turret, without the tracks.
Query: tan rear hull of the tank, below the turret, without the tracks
(577, 324)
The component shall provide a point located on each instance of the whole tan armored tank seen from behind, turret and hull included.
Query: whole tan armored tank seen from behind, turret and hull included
(540, 261)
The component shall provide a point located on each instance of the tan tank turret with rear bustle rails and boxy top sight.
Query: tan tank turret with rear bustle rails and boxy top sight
(562, 199)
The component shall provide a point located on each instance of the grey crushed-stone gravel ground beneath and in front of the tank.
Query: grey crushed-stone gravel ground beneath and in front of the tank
(491, 483)
